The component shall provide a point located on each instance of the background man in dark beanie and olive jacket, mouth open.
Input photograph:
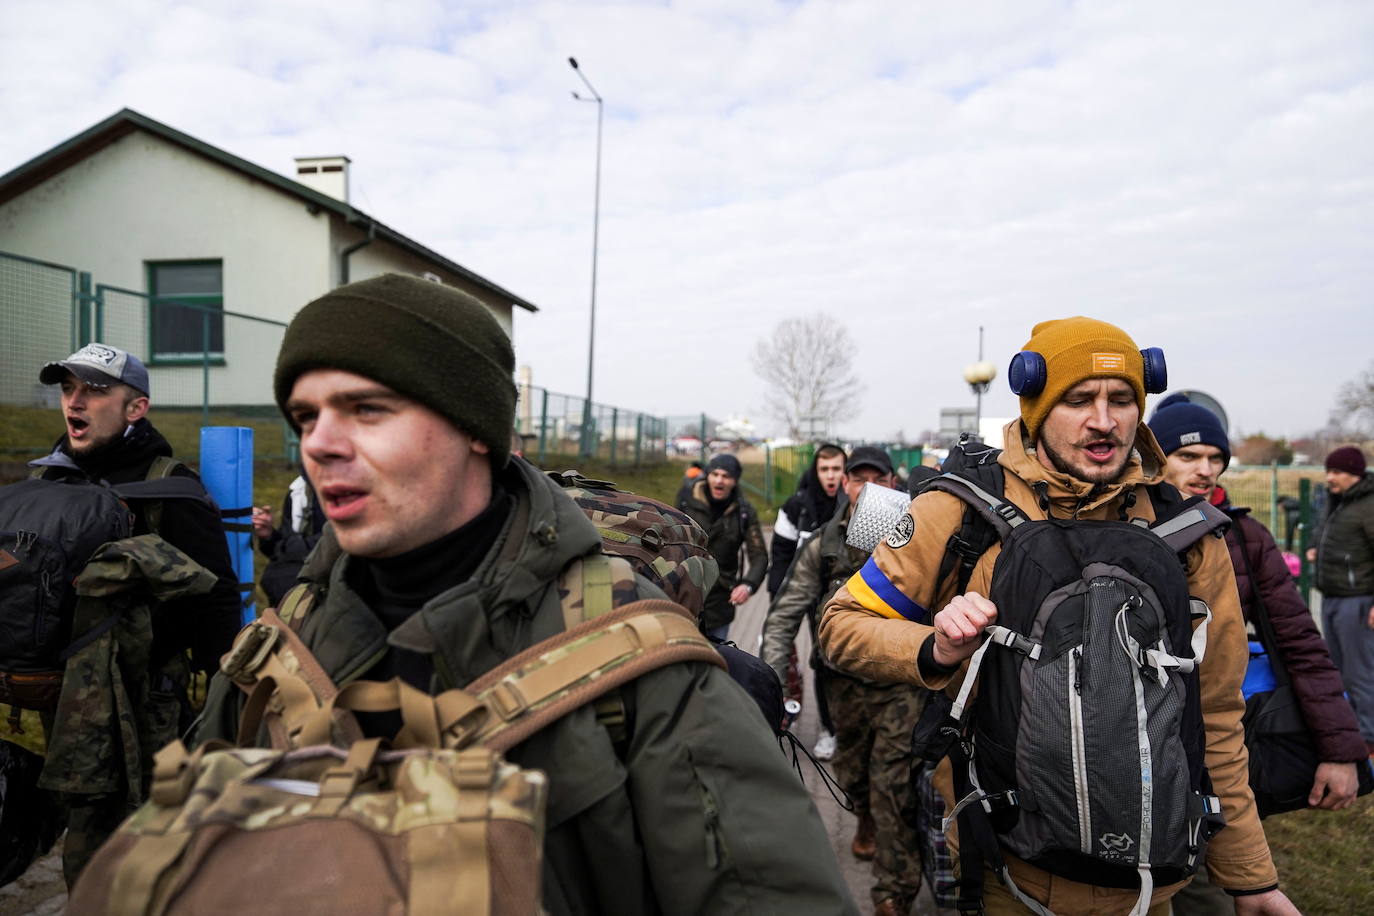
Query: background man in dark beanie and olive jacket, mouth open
(732, 527)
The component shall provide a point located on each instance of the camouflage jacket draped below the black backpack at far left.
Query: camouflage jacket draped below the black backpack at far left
(109, 720)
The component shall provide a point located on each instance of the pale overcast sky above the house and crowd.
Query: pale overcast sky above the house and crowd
(1200, 174)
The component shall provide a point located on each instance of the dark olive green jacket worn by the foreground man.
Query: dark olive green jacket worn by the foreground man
(686, 818)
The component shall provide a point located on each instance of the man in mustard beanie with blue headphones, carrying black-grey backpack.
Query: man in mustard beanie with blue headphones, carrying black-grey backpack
(1104, 833)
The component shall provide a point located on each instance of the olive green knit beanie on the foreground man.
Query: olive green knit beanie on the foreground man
(427, 341)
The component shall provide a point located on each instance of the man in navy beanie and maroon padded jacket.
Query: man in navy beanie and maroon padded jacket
(1199, 453)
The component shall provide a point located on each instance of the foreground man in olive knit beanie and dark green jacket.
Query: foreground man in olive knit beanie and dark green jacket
(440, 565)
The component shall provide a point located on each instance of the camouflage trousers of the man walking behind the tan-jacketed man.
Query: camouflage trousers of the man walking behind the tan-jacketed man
(873, 764)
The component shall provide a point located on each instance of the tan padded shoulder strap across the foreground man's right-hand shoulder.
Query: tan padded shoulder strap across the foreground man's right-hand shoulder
(554, 678)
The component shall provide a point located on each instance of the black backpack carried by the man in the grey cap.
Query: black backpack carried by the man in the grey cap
(49, 531)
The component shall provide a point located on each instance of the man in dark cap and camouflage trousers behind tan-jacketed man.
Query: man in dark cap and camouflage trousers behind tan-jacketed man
(873, 722)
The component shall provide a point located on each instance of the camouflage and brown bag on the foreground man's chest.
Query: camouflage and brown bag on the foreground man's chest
(321, 830)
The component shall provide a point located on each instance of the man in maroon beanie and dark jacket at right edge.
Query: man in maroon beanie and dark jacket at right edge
(1344, 558)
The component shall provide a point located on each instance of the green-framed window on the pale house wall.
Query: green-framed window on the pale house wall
(186, 311)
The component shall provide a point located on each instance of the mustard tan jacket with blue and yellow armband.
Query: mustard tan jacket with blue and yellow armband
(879, 621)
